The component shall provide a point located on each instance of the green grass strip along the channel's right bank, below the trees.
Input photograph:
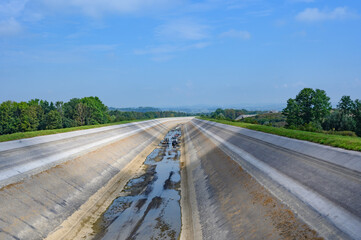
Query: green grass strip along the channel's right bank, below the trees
(346, 142)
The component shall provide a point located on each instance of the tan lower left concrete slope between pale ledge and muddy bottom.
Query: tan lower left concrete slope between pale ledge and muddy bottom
(34, 207)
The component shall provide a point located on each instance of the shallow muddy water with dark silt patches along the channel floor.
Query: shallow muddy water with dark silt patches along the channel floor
(148, 207)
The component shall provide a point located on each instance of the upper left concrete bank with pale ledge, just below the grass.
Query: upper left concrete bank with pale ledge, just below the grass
(22, 158)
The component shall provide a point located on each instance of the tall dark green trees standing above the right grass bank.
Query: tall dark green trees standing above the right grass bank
(311, 110)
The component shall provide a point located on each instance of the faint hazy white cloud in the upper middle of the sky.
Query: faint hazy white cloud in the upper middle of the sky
(182, 29)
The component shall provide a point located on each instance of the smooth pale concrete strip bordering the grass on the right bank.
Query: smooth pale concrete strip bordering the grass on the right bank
(341, 157)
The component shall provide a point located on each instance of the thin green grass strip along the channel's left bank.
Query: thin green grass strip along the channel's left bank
(21, 135)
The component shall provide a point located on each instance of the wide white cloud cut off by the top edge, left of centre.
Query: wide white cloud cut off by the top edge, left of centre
(97, 8)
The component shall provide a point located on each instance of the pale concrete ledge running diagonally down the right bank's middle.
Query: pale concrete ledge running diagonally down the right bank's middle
(336, 222)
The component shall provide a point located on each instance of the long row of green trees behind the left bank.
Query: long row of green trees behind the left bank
(40, 114)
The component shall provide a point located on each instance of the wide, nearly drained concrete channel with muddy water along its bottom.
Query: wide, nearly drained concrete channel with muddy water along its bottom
(179, 178)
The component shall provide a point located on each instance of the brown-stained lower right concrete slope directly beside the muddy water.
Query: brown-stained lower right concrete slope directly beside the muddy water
(228, 202)
